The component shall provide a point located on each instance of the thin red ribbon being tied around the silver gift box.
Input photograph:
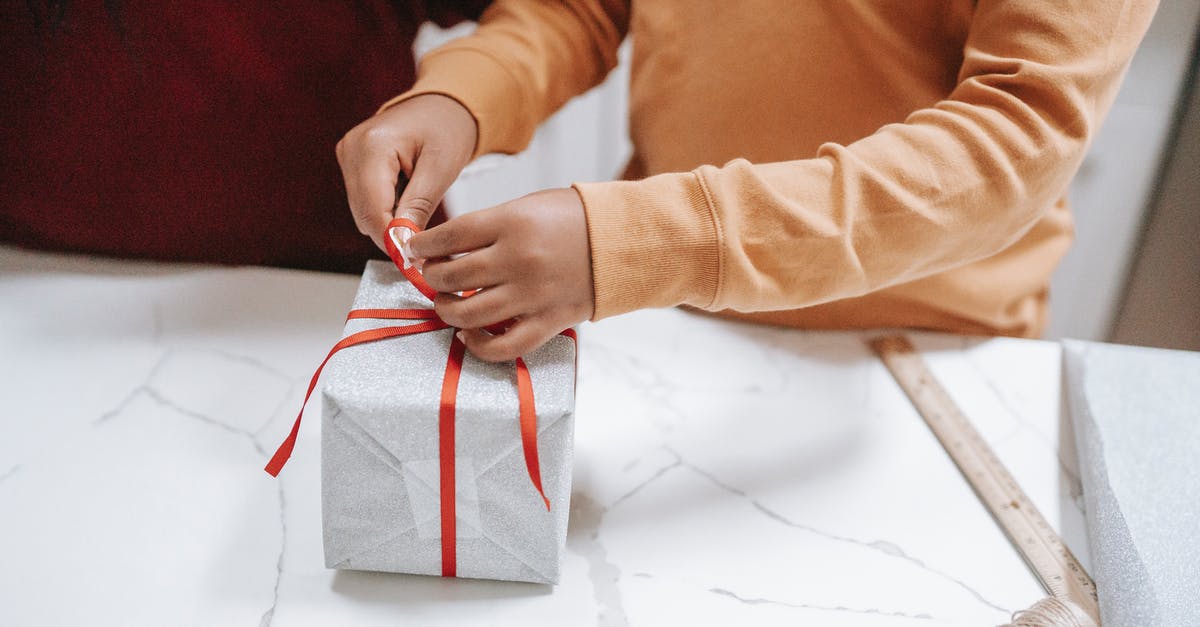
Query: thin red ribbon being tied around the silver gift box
(527, 411)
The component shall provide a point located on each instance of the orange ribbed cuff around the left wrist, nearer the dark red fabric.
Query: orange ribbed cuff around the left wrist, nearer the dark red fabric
(483, 86)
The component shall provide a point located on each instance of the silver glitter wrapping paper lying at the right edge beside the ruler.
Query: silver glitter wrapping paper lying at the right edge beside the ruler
(1137, 420)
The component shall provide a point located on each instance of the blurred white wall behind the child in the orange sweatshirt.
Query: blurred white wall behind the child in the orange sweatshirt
(587, 141)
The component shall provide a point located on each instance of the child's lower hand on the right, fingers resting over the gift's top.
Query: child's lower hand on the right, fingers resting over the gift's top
(532, 260)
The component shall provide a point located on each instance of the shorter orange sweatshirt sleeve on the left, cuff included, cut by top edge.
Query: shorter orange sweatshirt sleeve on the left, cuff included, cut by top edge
(524, 62)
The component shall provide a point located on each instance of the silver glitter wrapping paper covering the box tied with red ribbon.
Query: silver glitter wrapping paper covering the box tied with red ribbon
(380, 452)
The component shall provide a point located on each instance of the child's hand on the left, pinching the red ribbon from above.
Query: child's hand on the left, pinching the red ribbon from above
(429, 139)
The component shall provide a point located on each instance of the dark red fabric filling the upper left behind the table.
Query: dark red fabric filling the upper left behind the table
(195, 132)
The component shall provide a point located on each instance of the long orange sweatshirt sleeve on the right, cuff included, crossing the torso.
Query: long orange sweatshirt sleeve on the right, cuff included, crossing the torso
(955, 183)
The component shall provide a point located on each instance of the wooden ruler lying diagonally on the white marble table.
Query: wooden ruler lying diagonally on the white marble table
(1043, 551)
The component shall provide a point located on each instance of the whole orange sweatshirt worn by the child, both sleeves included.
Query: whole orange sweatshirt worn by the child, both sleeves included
(832, 165)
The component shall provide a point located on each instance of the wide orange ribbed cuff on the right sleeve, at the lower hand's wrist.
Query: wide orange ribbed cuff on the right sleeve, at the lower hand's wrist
(655, 244)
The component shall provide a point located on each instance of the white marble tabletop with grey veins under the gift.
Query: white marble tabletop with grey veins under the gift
(725, 474)
